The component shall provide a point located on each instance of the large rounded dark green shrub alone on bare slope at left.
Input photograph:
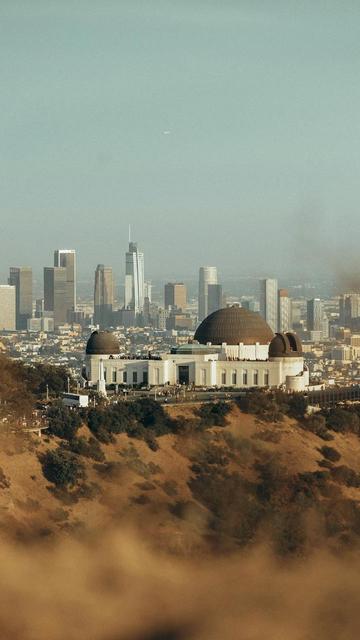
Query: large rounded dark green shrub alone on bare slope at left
(62, 468)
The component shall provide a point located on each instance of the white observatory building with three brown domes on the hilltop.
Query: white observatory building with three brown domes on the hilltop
(232, 347)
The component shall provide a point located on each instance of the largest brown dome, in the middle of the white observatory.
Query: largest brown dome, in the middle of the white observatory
(234, 325)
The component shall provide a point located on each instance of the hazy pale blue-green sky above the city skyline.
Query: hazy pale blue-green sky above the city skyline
(226, 132)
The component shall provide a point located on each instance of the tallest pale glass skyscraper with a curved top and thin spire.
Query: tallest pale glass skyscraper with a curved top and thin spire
(134, 279)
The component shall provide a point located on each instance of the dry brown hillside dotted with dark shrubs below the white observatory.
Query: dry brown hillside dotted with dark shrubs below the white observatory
(216, 488)
